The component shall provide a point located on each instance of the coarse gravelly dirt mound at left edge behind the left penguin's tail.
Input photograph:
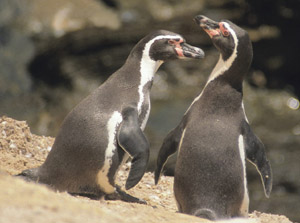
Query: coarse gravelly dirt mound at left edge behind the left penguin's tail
(19, 148)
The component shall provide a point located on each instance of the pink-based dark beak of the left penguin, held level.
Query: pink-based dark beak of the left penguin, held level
(185, 51)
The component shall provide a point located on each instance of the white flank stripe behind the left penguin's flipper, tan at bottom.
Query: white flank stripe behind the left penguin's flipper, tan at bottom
(102, 177)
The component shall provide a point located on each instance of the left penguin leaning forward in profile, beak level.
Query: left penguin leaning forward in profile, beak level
(106, 128)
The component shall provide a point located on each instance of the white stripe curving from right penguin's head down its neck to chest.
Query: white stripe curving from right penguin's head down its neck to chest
(222, 65)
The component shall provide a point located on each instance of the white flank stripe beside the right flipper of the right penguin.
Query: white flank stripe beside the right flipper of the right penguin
(245, 203)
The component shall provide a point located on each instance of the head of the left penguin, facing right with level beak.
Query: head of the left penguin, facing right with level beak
(162, 45)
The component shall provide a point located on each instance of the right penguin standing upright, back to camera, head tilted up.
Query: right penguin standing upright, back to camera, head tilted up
(214, 137)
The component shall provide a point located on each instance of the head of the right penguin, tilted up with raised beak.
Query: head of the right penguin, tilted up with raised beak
(225, 35)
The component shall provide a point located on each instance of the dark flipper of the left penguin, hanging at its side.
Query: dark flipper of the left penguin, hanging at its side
(132, 139)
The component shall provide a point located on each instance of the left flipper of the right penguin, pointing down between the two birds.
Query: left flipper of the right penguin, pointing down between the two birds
(169, 147)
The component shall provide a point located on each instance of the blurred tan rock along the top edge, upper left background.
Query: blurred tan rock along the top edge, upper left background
(60, 17)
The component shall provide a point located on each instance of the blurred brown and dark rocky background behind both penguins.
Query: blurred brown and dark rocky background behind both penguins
(54, 53)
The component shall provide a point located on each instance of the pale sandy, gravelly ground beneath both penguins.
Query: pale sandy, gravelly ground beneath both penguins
(29, 202)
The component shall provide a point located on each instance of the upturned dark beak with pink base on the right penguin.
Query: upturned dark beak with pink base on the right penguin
(211, 27)
